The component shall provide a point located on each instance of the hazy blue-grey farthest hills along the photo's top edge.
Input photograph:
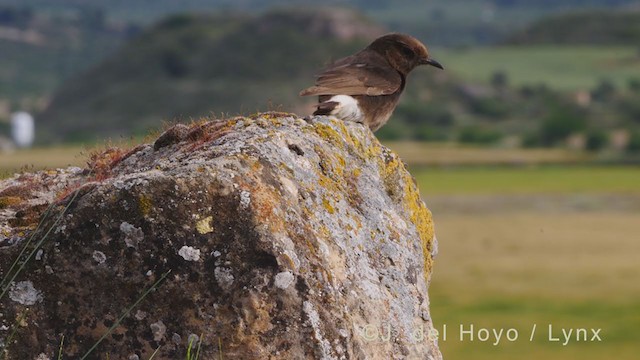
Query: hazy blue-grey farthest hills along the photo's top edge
(443, 22)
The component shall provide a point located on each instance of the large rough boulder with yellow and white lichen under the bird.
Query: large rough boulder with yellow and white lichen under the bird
(286, 239)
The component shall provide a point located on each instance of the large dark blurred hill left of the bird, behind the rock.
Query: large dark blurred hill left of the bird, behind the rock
(188, 66)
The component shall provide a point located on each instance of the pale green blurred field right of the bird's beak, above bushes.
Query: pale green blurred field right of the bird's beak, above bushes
(566, 68)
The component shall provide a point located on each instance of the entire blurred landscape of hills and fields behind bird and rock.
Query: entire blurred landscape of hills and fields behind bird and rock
(526, 148)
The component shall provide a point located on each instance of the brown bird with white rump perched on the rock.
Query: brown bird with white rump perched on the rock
(365, 87)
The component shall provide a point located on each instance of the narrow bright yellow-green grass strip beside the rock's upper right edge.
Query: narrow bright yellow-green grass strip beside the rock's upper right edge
(529, 180)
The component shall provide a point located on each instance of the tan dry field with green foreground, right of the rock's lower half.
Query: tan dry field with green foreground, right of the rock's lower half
(507, 270)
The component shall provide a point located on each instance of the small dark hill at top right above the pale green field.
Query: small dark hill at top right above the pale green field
(593, 27)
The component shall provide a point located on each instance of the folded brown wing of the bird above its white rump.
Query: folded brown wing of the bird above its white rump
(351, 77)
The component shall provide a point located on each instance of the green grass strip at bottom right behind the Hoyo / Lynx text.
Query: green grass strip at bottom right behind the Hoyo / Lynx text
(618, 322)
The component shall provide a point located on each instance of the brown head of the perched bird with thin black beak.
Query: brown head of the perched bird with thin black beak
(403, 52)
